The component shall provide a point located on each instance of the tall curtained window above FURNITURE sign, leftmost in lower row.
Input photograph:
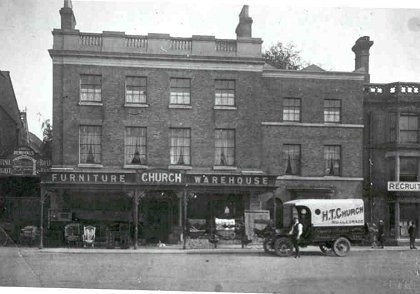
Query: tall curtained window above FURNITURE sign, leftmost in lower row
(90, 143)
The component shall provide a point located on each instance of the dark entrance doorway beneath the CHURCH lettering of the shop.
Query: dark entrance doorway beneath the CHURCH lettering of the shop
(157, 219)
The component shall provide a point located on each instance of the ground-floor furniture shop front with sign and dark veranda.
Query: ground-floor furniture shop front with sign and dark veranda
(146, 207)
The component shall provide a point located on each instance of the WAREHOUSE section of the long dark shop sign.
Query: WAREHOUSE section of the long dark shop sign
(229, 180)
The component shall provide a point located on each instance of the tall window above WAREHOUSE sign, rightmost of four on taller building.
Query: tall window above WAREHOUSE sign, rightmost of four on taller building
(224, 147)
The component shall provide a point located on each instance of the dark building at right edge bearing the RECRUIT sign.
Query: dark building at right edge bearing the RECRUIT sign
(392, 154)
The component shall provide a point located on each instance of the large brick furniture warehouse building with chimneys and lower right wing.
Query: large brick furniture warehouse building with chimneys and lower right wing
(167, 135)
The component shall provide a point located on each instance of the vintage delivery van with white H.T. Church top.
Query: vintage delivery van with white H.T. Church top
(331, 224)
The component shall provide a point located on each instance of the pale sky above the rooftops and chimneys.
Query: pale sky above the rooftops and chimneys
(323, 32)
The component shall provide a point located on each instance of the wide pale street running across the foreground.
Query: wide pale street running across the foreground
(229, 269)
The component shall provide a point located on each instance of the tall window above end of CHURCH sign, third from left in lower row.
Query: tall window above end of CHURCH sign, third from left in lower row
(180, 146)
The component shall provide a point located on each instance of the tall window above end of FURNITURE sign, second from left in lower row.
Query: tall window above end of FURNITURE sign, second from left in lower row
(135, 146)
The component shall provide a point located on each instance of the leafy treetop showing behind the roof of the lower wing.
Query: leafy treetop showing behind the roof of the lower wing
(284, 57)
